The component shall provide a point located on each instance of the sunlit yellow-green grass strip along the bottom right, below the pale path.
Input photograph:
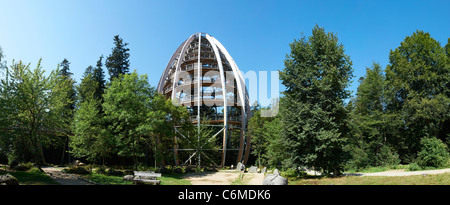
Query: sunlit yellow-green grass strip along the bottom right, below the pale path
(431, 179)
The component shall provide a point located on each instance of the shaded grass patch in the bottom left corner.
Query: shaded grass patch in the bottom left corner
(31, 178)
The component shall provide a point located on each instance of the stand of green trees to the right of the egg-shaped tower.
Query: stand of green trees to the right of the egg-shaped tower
(399, 114)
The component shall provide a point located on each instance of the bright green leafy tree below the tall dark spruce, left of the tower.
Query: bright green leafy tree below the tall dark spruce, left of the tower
(127, 106)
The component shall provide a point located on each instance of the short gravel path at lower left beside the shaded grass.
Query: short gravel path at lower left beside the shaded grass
(63, 178)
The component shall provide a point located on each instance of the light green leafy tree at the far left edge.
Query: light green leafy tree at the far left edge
(37, 108)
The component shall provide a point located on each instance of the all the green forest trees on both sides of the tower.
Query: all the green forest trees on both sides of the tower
(400, 114)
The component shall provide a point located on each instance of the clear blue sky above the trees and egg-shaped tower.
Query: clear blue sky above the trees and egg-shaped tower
(256, 33)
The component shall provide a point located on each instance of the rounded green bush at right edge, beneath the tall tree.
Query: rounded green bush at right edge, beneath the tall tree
(434, 153)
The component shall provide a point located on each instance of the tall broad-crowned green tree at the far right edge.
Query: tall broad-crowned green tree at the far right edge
(418, 91)
